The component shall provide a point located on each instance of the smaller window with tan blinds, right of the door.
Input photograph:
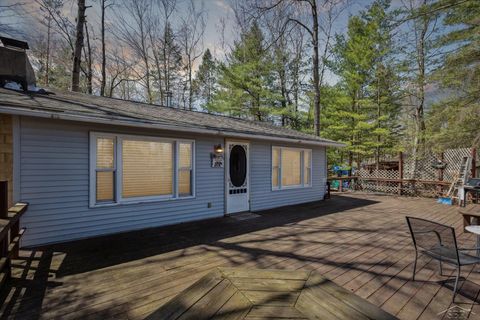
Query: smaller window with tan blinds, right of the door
(291, 168)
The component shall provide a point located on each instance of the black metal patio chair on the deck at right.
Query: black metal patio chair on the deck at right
(439, 242)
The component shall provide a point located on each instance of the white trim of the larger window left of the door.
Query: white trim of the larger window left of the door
(118, 199)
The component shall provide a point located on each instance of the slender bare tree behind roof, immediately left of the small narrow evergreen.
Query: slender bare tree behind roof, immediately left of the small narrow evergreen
(191, 36)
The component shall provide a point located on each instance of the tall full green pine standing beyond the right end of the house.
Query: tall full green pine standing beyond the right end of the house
(363, 109)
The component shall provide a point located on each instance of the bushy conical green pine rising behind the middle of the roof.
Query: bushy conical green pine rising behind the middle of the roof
(245, 80)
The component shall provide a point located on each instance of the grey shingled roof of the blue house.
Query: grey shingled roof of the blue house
(88, 108)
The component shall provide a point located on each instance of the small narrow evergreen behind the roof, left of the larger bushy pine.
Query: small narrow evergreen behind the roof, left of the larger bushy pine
(205, 79)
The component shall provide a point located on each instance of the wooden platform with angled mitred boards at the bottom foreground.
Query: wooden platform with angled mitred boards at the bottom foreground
(240, 293)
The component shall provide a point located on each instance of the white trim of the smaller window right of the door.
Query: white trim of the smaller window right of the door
(303, 185)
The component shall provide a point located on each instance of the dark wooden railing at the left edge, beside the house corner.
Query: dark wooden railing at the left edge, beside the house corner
(10, 232)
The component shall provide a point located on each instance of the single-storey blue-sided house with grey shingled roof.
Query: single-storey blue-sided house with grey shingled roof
(90, 165)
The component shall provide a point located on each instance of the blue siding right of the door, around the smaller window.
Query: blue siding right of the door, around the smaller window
(261, 194)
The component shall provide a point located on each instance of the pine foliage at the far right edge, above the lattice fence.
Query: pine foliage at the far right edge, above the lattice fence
(455, 121)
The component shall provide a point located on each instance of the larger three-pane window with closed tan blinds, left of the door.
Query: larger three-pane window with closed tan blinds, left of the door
(132, 168)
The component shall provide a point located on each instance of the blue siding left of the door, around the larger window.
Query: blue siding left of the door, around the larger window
(54, 179)
